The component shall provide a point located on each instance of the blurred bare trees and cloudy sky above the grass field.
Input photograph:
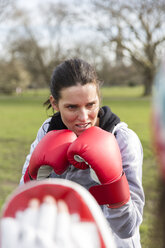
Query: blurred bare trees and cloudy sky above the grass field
(123, 39)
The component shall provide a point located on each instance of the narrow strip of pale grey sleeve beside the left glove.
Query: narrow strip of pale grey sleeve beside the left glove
(41, 133)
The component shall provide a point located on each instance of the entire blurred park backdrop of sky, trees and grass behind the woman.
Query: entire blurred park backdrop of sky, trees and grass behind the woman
(124, 40)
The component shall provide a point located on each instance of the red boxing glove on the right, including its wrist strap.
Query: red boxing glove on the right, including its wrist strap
(98, 149)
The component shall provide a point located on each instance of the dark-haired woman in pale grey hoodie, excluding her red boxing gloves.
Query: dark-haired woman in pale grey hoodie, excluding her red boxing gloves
(76, 98)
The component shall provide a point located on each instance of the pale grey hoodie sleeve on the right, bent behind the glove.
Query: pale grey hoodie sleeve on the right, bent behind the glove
(125, 221)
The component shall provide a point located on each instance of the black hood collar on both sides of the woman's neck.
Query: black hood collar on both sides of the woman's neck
(108, 120)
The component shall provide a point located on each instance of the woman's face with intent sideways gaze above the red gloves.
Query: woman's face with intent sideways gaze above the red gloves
(78, 106)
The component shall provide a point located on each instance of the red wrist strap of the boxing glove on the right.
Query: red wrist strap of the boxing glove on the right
(114, 194)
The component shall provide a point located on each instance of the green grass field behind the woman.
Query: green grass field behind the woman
(22, 115)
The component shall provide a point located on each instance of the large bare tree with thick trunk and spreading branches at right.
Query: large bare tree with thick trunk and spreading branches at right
(138, 28)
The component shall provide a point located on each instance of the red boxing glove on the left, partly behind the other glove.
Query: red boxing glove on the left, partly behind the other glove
(52, 151)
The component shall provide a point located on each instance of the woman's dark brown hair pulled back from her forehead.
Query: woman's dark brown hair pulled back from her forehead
(70, 73)
